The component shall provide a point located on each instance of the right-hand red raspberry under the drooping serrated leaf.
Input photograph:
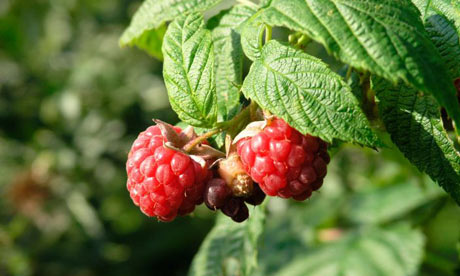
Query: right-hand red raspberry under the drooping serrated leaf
(284, 162)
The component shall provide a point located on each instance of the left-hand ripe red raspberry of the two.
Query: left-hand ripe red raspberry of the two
(162, 181)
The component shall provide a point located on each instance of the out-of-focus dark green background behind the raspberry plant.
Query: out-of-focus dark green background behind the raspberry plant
(71, 103)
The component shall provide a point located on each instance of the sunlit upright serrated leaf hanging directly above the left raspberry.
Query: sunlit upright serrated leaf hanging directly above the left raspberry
(188, 70)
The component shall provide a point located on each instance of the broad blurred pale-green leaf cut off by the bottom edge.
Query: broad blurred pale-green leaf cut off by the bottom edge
(395, 251)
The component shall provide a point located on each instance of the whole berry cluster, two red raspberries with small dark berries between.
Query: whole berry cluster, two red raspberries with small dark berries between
(165, 181)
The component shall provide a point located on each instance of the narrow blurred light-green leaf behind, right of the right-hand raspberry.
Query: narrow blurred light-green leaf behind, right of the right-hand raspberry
(382, 204)
